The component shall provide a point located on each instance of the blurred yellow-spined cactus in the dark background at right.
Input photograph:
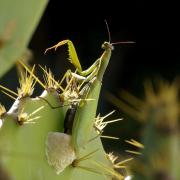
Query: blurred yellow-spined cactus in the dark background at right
(159, 113)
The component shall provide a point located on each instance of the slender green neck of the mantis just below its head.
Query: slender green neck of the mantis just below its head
(104, 60)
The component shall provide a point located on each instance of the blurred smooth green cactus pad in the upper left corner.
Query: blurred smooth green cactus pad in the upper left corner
(18, 21)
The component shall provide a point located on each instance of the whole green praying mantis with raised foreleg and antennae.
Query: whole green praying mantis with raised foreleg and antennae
(86, 110)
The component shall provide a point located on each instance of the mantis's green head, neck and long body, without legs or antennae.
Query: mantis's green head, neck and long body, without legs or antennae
(85, 115)
